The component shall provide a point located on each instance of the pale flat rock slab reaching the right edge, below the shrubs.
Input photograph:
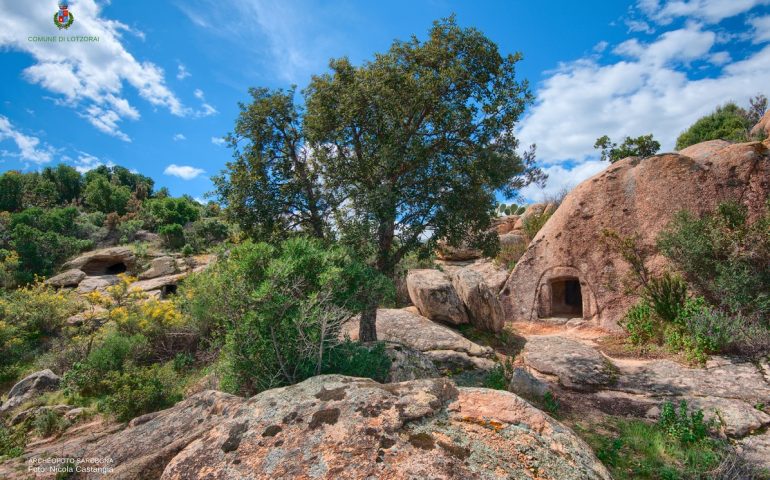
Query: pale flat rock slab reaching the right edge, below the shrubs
(722, 377)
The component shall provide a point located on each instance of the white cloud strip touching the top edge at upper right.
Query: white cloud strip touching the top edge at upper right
(709, 11)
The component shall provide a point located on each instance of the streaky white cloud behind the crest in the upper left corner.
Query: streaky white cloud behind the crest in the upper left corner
(91, 78)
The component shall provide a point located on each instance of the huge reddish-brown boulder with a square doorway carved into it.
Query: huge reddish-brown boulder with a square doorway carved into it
(568, 270)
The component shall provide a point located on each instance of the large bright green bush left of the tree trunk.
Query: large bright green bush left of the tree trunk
(278, 308)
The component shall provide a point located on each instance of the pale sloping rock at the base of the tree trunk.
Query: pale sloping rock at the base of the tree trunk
(430, 338)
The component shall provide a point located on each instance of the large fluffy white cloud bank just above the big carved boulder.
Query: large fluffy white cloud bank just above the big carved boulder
(647, 92)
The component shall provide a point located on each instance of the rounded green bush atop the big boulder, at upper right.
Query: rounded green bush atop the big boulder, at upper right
(728, 122)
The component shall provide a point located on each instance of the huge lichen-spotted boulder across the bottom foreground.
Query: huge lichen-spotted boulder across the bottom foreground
(331, 427)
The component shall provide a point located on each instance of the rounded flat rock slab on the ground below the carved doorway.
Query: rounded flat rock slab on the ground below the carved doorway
(578, 366)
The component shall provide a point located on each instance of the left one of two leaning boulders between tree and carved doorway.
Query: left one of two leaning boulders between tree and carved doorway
(432, 293)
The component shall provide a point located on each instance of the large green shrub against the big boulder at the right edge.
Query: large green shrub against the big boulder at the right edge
(724, 257)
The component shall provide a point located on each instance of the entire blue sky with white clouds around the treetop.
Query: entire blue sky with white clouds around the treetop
(162, 85)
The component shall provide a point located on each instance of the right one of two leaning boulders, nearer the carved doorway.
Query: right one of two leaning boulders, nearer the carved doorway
(481, 302)
